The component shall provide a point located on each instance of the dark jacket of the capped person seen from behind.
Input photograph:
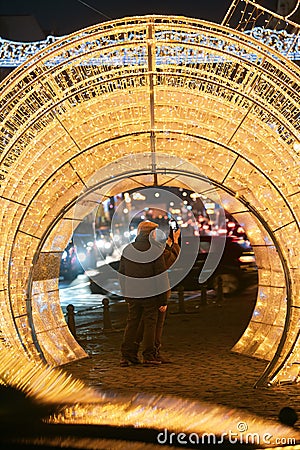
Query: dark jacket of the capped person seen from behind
(141, 270)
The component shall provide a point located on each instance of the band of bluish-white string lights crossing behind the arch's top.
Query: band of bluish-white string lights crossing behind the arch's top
(13, 54)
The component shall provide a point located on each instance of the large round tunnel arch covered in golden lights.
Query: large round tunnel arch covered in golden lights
(104, 109)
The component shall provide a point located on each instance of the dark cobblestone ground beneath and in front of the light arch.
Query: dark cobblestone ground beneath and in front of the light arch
(203, 366)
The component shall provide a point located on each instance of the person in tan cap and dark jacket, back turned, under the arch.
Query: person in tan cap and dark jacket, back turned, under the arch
(144, 284)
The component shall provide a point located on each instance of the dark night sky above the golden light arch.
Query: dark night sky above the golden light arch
(60, 17)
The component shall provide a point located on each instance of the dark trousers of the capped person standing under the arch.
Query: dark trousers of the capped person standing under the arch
(136, 309)
